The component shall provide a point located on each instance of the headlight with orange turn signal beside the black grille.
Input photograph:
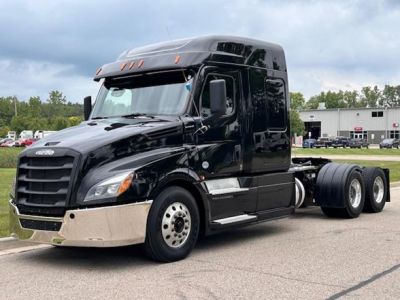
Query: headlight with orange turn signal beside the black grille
(112, 187)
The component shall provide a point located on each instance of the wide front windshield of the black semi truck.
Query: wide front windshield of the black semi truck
(164, 93)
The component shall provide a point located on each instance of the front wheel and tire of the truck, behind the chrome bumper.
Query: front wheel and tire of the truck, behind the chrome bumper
(173, 225)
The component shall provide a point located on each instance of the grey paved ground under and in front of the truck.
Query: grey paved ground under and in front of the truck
(305, 257)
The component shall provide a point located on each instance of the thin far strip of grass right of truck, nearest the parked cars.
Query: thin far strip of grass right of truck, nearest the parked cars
(347, 151)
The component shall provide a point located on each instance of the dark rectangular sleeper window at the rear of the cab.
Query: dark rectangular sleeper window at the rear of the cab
(276, 104)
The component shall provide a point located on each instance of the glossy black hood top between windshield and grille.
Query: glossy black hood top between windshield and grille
(101, 141)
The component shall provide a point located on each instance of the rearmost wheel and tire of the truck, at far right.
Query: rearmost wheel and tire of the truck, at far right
(375, 189)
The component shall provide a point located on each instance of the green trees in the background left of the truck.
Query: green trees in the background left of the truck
(55, 113)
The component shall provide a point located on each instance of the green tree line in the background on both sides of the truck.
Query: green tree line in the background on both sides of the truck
(56, 113)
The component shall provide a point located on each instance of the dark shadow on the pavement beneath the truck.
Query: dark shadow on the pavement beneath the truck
(134, 256)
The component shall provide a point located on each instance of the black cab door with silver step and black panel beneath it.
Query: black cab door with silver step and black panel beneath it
(220, 149)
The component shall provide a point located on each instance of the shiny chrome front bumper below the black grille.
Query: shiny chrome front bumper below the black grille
(94, 227)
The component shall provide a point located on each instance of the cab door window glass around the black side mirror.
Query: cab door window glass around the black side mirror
(230, 94)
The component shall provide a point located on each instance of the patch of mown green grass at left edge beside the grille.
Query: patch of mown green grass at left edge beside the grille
(6, 178)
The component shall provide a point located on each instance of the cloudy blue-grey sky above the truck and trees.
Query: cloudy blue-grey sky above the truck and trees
(329, 45)
